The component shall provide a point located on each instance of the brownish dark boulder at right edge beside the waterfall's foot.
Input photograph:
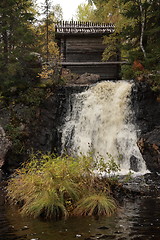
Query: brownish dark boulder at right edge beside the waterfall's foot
(149, 145)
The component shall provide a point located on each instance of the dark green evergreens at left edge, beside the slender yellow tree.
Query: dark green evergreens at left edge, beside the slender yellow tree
(17, 42)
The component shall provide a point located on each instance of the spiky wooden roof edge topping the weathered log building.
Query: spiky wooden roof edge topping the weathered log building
(83, 27)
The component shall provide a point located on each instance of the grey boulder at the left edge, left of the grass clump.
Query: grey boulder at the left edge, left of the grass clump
(4, 147)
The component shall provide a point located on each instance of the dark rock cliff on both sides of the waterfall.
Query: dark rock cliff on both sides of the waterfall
(39, 128)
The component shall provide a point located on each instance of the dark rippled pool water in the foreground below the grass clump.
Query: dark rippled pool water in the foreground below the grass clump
(139, 219)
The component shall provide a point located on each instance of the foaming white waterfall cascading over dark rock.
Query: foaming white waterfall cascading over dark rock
(101, 118)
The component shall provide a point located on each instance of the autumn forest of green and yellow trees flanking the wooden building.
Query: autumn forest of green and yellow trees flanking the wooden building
(28, 40)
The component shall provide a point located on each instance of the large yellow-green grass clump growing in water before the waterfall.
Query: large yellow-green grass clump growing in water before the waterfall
(56, 187)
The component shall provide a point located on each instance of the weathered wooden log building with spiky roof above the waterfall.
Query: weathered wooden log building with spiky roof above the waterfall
(81, 46)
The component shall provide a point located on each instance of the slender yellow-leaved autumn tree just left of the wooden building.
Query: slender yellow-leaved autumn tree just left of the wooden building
(47, 43)
